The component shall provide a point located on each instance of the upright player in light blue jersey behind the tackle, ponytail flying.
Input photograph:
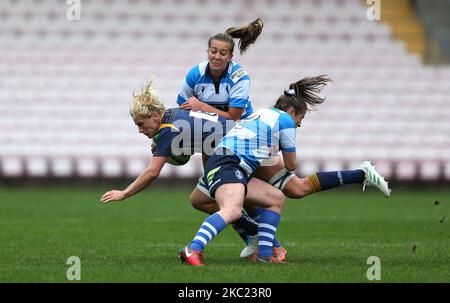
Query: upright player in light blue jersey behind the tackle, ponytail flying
(221, 85)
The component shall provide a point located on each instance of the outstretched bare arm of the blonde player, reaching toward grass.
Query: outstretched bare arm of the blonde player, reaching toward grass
(145, 178)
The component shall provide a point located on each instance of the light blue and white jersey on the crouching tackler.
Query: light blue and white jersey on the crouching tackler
(259, 136)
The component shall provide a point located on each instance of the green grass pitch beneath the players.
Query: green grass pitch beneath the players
(329, 236)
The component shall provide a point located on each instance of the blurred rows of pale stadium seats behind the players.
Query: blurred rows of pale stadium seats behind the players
(65, 86)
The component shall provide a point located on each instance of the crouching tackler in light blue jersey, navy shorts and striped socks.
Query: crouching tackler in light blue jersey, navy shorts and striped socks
(228, 178)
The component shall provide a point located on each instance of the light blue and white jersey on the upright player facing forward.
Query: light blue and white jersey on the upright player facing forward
(233, 90)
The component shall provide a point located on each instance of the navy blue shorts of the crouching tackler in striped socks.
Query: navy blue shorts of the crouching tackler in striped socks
(223, 169)
